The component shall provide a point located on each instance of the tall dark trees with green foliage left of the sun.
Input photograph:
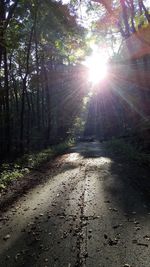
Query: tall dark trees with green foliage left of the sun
(39, 93)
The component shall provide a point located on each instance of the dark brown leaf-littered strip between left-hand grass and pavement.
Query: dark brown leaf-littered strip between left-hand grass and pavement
(36, 177)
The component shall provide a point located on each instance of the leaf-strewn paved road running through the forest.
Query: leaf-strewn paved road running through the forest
(86, 213)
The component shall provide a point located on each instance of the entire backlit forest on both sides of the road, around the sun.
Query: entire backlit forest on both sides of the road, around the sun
(42, 81)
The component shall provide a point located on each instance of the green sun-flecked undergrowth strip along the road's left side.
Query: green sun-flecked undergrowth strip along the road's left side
(28, 162)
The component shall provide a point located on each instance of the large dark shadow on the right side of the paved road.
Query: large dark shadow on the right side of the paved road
(126, 182)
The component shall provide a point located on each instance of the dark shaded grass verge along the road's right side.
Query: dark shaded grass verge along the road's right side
(128, 151)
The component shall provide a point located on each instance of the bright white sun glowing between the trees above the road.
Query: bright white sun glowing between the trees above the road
(97, 67)
